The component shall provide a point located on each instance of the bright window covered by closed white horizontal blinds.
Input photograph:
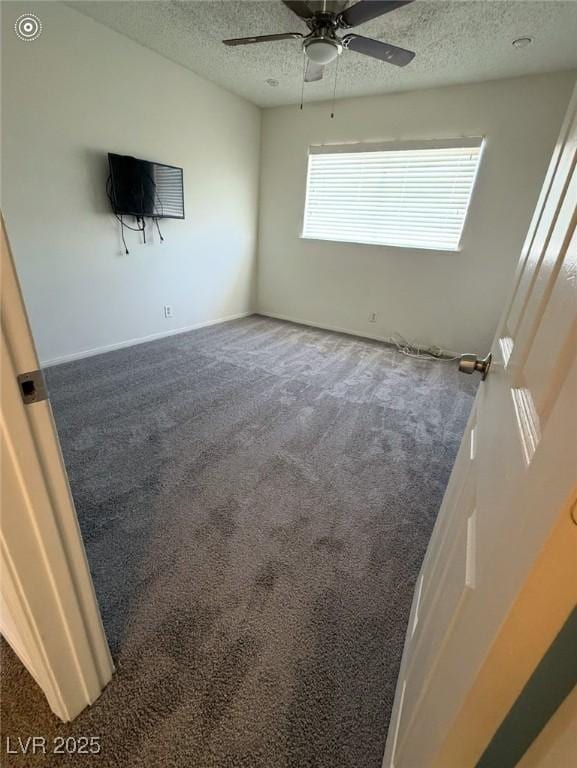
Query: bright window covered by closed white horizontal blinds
(408, 195)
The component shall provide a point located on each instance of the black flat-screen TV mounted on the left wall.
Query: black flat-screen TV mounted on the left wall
(142, 188)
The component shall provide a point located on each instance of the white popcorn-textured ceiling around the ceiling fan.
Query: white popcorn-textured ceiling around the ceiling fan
(456, 42)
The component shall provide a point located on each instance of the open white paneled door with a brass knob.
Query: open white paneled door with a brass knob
(481, 617)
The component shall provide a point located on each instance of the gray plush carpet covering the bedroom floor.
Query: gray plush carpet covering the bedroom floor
(256, 499)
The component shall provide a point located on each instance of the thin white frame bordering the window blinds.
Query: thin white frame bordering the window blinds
(472, 142)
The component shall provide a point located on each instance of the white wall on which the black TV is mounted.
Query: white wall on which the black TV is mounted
(77, 92)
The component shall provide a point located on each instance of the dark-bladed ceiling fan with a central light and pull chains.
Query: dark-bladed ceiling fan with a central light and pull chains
(322, 45)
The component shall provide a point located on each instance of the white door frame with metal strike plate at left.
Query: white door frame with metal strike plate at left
(48, 610)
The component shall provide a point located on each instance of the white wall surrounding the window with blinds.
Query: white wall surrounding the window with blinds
(450, 299)
